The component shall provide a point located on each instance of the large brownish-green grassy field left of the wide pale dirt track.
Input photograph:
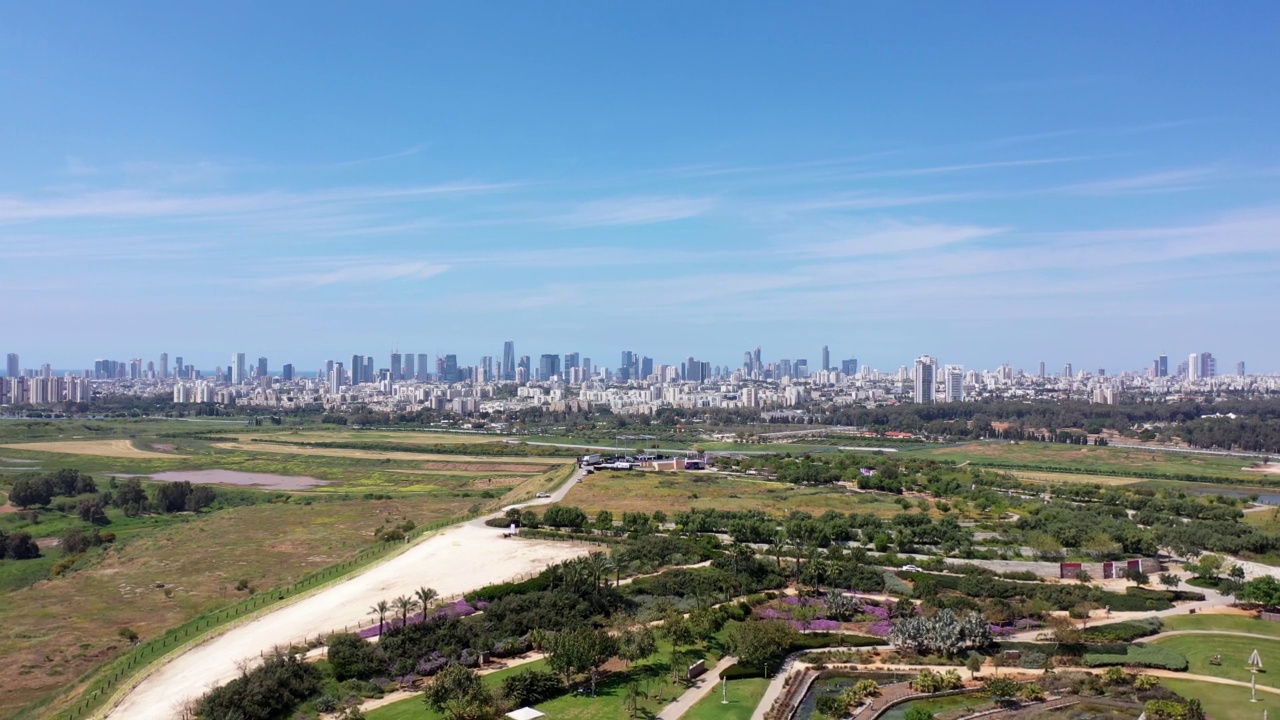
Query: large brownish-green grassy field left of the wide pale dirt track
(58, 630)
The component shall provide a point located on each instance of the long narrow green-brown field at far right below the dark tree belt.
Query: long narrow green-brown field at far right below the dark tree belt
(1117, 462)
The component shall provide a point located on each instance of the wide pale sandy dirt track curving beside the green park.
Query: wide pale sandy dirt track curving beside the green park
(454, 562)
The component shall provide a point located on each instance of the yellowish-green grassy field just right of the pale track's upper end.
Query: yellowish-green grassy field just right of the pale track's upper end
(646, 493)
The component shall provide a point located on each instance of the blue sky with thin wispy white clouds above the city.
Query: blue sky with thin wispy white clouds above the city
(986, 183)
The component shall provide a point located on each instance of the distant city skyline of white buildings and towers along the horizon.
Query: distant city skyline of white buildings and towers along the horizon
(572, 382)
